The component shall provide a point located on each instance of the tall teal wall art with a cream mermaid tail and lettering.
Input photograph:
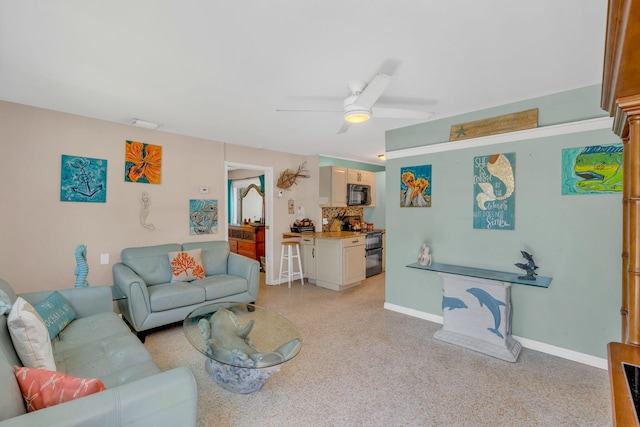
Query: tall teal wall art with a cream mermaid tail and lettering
(494, 187)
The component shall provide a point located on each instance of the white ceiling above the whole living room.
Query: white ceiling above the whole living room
(220, 69)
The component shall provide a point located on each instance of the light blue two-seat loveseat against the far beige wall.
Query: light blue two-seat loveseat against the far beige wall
(144, 276)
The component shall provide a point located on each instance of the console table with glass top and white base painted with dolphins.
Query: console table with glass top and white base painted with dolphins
(476, 308)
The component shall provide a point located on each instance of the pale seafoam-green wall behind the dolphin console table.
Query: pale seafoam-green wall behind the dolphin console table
(575, 239)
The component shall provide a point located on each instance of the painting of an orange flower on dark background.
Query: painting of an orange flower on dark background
(142, 163)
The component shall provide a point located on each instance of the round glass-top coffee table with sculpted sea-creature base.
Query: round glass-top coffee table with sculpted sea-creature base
(244, 343)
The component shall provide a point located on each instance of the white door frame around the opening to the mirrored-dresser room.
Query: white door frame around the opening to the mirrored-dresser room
(268, 210)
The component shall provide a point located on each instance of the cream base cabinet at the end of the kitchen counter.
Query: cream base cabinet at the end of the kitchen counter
(340, 262)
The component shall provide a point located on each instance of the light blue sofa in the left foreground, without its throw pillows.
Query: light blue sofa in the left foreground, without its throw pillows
(98, 344)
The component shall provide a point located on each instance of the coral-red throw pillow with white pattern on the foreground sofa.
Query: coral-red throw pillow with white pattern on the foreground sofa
(42, 389)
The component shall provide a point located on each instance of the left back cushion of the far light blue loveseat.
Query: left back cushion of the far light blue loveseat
(150, 262)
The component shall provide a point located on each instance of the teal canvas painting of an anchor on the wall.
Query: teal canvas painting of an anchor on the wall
(83, 179)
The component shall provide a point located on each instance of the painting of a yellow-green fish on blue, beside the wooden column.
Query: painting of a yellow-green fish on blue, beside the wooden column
(591, 170)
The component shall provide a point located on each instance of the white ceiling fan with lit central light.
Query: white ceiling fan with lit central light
(359, 106)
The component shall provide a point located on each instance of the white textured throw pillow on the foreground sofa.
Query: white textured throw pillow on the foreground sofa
(30, 336)
